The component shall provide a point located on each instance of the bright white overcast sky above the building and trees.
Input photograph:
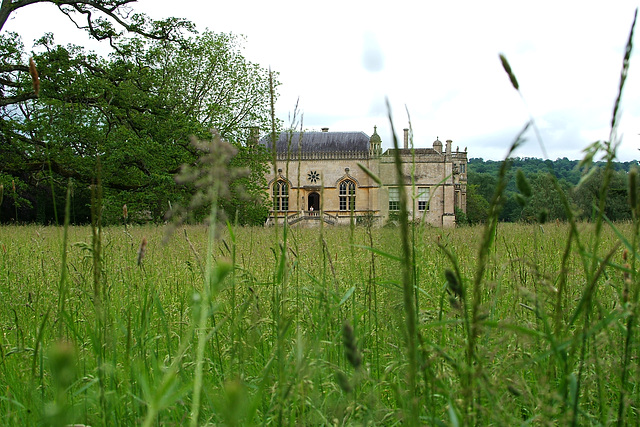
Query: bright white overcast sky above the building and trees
(438, 60)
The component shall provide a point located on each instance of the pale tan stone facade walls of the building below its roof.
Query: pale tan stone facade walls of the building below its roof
(319, 176)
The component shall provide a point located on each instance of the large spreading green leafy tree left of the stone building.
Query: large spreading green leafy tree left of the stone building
(134, 111)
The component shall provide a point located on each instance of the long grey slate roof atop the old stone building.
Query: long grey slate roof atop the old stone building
(335, 142)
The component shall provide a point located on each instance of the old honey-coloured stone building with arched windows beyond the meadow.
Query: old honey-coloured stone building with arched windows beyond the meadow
(318, 178)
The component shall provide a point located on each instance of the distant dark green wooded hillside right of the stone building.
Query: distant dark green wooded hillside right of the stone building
(544, 203)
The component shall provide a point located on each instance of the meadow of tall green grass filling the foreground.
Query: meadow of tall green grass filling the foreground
(310, 326)
